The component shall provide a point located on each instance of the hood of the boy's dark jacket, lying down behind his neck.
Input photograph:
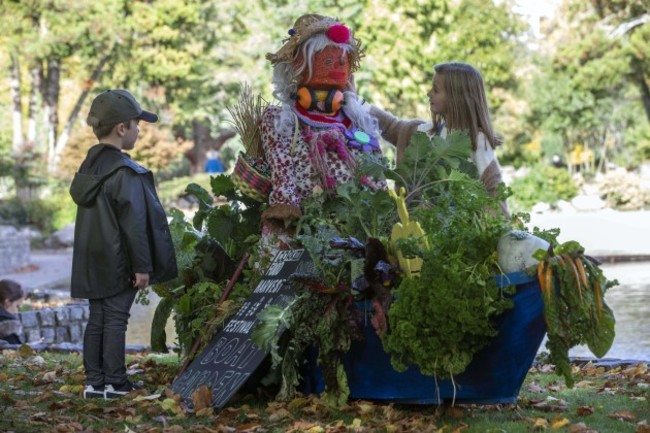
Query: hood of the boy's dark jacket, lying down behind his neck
(100, 163)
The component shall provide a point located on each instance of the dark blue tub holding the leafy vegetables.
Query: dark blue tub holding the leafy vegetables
(495, 375)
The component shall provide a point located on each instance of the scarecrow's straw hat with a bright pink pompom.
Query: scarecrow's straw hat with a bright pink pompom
(309, 25)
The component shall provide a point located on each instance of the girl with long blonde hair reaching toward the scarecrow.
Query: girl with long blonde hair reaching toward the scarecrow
(457, 101)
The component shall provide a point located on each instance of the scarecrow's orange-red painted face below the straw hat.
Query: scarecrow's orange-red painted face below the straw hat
(331, 70)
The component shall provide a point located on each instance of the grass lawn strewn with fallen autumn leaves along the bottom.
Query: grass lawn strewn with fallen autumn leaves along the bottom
(41, 392)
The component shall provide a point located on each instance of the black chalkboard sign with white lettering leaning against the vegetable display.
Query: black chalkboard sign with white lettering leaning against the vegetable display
(231, 357)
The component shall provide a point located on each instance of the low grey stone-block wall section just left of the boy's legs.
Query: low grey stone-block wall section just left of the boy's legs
(55, 325)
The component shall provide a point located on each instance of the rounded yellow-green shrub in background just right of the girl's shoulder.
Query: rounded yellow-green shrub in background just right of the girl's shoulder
(543, 183)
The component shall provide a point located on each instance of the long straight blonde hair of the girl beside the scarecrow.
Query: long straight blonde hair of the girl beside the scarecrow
(467, 107)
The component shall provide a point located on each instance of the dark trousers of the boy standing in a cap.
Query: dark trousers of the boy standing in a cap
(105, 339)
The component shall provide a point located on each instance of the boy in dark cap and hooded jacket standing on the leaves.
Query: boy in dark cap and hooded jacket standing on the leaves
(122, 241)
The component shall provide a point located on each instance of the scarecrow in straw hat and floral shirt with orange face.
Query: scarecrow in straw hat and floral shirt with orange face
(313, 138)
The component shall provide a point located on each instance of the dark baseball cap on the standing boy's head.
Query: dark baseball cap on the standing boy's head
(114, 106)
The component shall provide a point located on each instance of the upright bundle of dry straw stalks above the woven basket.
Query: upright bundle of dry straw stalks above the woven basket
(246, 116)
